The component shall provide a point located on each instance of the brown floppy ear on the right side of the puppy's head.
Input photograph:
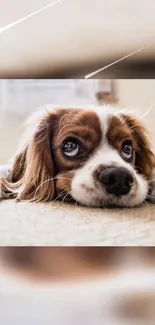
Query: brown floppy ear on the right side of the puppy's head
(145, 158)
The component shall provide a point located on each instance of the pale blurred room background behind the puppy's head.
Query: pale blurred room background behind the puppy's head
(19, 97)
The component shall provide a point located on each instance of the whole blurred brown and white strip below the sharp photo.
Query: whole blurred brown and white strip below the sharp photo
(77, 286)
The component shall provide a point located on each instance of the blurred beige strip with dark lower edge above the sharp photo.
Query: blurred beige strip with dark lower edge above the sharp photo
(73, 38)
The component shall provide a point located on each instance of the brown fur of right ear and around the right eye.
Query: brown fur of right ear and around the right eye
(128, 128)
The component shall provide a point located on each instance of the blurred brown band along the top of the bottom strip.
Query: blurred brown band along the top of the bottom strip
(62, 262)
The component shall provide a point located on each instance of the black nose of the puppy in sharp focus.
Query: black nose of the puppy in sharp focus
(116, 180)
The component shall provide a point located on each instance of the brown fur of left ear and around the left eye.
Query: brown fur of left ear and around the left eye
(40, 169)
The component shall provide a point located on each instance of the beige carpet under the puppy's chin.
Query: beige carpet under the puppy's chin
(66, 224)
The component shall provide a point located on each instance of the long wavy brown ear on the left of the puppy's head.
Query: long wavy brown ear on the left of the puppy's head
(33, 168)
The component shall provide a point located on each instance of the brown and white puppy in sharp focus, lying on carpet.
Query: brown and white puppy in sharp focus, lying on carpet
(96, 157)
